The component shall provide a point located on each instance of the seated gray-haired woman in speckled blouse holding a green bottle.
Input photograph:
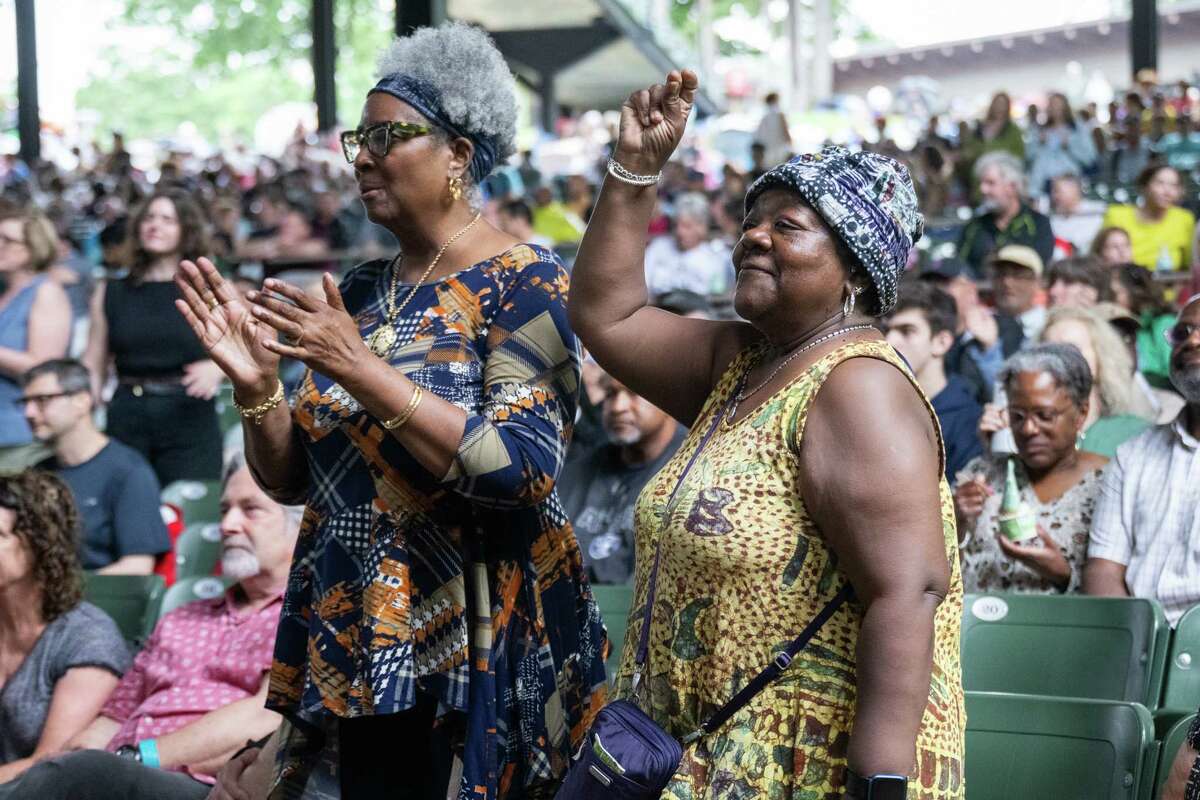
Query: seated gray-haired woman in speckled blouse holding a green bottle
(1049, 390)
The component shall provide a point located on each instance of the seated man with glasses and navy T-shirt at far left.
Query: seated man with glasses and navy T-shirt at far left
(115, 488)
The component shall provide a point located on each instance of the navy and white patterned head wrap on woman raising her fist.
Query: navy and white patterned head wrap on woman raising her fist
(867, 199)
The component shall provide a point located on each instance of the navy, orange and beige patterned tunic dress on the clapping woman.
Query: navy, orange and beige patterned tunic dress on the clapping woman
(466, 587)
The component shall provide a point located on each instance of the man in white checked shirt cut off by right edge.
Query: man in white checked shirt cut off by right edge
(1147, 528)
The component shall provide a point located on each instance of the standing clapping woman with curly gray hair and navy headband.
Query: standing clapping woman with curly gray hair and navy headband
(437, 604)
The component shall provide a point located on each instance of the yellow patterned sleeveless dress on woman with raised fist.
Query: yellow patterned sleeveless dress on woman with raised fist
(743, 572)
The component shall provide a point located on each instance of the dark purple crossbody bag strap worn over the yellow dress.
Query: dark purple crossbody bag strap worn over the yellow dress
(782, 661)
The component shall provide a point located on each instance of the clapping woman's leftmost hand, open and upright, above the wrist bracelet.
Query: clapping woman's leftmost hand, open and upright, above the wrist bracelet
(223, 322)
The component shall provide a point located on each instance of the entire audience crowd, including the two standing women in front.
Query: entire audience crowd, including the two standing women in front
(440, 453)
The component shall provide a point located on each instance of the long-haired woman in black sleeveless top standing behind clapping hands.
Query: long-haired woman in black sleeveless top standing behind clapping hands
(166, 383)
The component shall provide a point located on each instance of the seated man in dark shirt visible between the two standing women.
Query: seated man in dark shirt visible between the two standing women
(601, 486)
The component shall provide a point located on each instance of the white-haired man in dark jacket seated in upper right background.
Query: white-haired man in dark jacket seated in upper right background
(1007, 220)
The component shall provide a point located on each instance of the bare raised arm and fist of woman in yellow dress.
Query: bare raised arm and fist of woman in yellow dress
(670, 360)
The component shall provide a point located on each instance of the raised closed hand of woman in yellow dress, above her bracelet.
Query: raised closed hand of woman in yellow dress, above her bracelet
(653, 121)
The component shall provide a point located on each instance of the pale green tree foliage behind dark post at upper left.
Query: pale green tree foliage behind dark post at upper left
(237, 59)
